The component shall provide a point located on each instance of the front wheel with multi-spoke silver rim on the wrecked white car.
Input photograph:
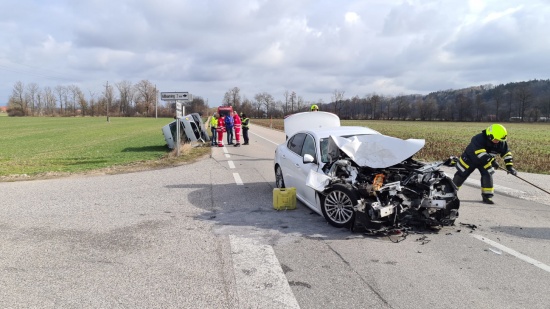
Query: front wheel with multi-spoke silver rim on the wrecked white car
(337, 206)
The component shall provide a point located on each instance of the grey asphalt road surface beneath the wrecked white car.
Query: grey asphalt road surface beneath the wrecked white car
(205, 235)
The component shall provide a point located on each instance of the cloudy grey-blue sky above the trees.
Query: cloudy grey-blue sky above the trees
(312, 47)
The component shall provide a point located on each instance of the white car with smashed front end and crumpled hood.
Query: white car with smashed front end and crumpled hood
(360, 179)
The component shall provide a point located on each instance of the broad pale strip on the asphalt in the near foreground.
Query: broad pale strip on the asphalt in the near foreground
(260, 280)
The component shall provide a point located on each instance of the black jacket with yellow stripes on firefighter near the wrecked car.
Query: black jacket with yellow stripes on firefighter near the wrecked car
(482, 151)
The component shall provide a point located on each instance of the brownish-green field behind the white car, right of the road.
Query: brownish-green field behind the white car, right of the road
(529, 142)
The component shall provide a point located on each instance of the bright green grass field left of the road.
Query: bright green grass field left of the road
(44, 145)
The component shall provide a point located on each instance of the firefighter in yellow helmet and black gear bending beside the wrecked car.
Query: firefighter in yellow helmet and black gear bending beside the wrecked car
(480, 154)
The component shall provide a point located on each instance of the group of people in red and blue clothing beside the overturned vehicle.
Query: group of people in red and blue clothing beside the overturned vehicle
(229, 123)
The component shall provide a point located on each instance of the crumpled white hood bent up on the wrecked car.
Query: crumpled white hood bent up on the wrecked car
(374, 151)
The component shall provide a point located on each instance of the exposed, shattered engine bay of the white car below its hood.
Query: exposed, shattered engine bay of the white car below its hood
(408, 194)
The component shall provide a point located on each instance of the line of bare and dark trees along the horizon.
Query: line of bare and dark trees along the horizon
(527, 101)
